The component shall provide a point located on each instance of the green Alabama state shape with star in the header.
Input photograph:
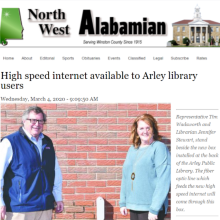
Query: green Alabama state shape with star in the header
(10, 25)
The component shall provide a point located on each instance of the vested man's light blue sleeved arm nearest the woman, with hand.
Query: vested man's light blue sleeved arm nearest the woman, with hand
(57, 189)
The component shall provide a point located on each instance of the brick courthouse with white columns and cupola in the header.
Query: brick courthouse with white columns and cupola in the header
(197, 30)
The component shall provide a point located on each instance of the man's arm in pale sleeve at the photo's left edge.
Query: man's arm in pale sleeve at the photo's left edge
(5, 159)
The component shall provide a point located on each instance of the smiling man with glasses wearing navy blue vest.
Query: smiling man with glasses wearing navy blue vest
(29, 171)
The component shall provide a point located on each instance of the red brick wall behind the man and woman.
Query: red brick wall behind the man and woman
(91, 142)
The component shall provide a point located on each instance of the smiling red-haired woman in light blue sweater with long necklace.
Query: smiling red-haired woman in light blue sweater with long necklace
(146, 173)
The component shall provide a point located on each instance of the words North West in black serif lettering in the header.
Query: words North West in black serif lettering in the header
(50, 16)
